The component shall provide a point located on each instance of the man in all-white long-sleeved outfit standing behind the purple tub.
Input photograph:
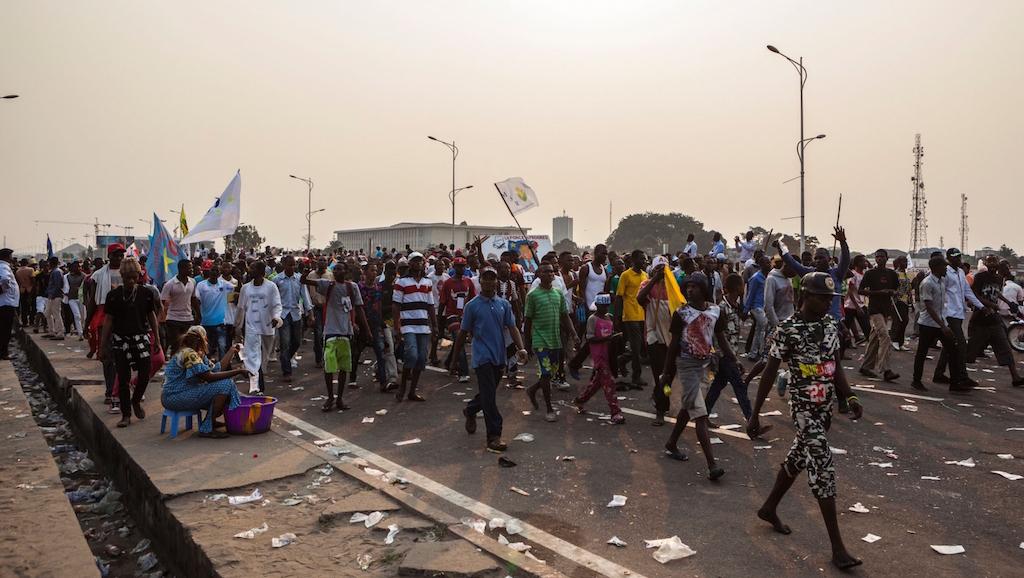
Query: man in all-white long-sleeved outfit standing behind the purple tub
(259, 317)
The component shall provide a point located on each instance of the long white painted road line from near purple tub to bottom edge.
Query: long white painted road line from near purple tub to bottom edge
(566, 550)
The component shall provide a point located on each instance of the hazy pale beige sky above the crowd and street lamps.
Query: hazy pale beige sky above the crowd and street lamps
(130, 108)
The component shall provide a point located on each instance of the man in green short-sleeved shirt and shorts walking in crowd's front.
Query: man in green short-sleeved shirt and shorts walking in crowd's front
(546, 316)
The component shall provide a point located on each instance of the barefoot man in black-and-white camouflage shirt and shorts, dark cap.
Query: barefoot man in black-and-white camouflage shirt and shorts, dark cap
(809, 343)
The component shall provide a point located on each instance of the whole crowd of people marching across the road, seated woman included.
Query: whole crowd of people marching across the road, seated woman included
(680, 315)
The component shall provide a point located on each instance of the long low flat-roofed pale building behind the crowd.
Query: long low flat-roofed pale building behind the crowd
(416, 235)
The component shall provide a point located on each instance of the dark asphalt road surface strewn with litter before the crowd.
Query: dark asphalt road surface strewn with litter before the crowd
(968, 507)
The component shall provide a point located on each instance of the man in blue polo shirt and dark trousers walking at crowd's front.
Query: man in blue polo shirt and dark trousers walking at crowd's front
(488, 317)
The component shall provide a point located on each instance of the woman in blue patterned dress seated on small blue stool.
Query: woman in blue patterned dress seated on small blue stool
(193, 384)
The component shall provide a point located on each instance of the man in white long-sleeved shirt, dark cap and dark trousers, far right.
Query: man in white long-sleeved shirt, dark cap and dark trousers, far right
(958, 291)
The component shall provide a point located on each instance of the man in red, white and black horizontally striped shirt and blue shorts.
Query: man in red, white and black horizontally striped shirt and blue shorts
(413, 303)
